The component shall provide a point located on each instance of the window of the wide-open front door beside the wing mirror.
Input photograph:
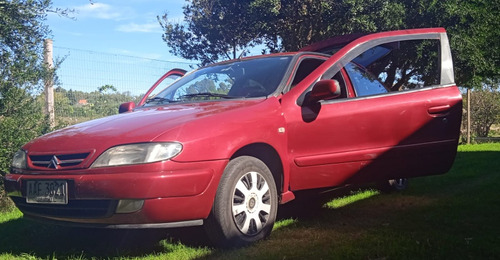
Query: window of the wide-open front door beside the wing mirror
(400, 65)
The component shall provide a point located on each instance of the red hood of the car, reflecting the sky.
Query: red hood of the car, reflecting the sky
(141, 125)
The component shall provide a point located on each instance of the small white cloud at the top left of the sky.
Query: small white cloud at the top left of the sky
(103, 11)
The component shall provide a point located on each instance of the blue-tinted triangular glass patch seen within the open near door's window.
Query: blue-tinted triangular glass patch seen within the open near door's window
(363, 82)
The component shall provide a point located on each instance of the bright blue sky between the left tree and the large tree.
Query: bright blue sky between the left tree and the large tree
(121, 27)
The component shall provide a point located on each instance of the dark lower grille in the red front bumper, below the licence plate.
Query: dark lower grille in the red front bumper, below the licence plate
(74, 208)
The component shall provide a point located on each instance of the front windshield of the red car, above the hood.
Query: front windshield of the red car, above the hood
(239, 79)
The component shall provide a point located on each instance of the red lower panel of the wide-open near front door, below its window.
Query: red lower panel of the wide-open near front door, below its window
(375, 138)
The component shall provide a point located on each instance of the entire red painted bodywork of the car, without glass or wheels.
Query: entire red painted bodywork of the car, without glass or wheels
(336, 142)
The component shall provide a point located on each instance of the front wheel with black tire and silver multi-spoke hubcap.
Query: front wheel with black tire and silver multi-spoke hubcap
(245, 206)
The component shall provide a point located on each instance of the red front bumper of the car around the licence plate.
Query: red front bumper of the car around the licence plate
(170, 190)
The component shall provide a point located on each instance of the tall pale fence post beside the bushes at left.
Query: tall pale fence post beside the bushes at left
(49, 82)
